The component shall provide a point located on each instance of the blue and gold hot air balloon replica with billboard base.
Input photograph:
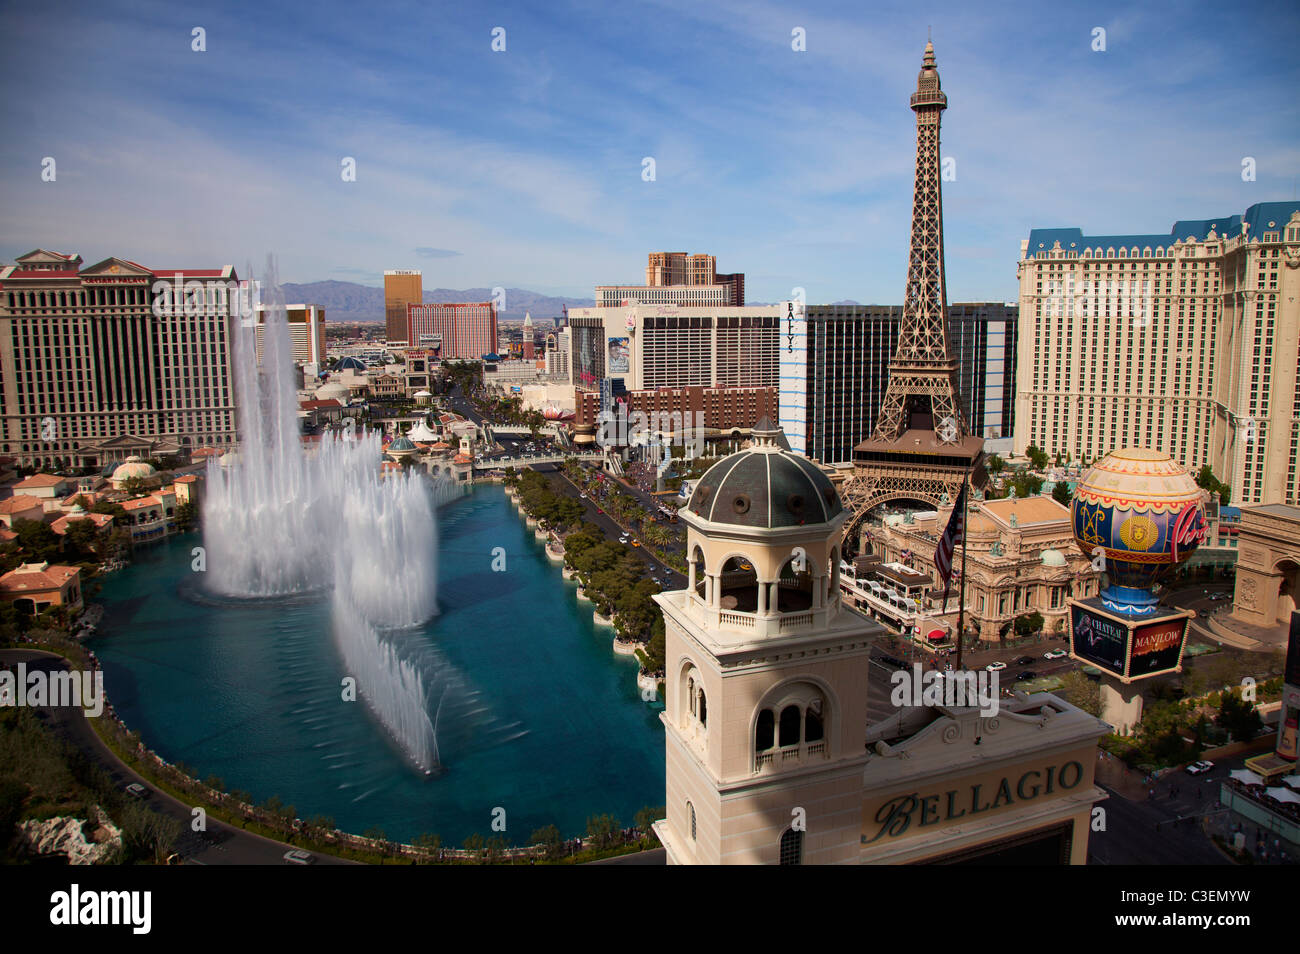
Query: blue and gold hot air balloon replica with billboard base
(1138, 515)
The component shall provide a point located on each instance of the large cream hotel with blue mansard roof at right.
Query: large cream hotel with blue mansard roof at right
(1188, 342)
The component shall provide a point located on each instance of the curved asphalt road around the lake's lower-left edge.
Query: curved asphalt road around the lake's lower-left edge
(222, 844)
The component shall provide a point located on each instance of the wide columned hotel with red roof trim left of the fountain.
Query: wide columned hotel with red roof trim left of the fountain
(93, 368)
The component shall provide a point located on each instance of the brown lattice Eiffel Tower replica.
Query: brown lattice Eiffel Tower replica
(921, 449)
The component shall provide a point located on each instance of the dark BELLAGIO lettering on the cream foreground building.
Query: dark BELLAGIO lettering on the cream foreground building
(898, 816)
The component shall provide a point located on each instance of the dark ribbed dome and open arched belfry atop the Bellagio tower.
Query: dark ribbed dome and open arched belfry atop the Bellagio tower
(764, 544)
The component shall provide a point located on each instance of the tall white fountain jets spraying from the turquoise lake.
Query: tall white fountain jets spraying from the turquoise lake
(280, 522)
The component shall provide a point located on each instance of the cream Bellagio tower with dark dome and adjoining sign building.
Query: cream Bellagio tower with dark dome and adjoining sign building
(770, 754)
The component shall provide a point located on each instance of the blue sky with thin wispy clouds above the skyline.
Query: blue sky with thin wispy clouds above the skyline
(523, 168)
